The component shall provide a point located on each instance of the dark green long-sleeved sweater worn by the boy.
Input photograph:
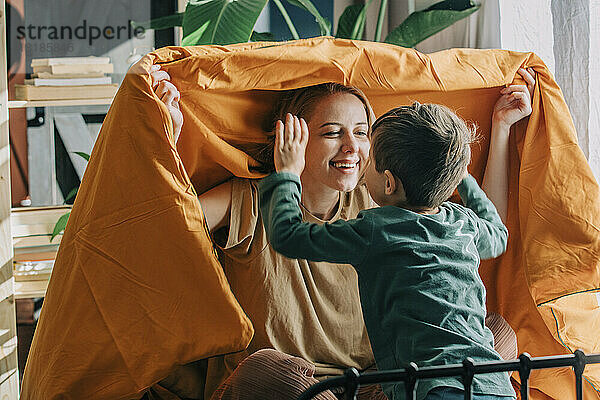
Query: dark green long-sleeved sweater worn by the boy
(421, 294)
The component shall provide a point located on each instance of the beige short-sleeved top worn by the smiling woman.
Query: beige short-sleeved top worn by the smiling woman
(303, 308)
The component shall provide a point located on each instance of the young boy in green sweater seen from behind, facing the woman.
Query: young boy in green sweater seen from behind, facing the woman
(417, 255)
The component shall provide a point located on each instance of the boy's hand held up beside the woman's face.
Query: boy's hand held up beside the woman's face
(290, 144)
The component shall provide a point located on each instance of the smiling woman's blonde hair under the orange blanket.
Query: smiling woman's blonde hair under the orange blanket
(302, 102)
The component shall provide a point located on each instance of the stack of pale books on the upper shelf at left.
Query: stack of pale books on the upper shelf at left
(68, 78)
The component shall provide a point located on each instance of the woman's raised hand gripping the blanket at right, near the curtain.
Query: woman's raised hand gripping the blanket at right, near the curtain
(515, 101)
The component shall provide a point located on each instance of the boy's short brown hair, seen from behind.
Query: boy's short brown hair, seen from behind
(427, 147)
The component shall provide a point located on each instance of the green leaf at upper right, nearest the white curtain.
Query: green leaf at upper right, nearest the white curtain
(422, 24)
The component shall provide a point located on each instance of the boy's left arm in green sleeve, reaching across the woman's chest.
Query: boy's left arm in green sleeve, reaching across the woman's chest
(338, 242)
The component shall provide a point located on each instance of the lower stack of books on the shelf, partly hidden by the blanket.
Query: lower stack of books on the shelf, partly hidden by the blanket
(34, 253)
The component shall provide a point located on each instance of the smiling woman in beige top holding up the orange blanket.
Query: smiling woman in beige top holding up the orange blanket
(307, 309)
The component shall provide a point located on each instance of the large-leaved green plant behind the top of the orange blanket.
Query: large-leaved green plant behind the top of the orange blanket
(227, 22)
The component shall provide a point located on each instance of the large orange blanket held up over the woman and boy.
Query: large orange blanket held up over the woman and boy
(137, 289)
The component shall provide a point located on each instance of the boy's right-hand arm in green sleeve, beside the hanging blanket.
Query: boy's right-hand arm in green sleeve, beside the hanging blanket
(493, 235)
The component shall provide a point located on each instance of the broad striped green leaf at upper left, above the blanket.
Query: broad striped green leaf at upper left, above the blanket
(220, 21)
